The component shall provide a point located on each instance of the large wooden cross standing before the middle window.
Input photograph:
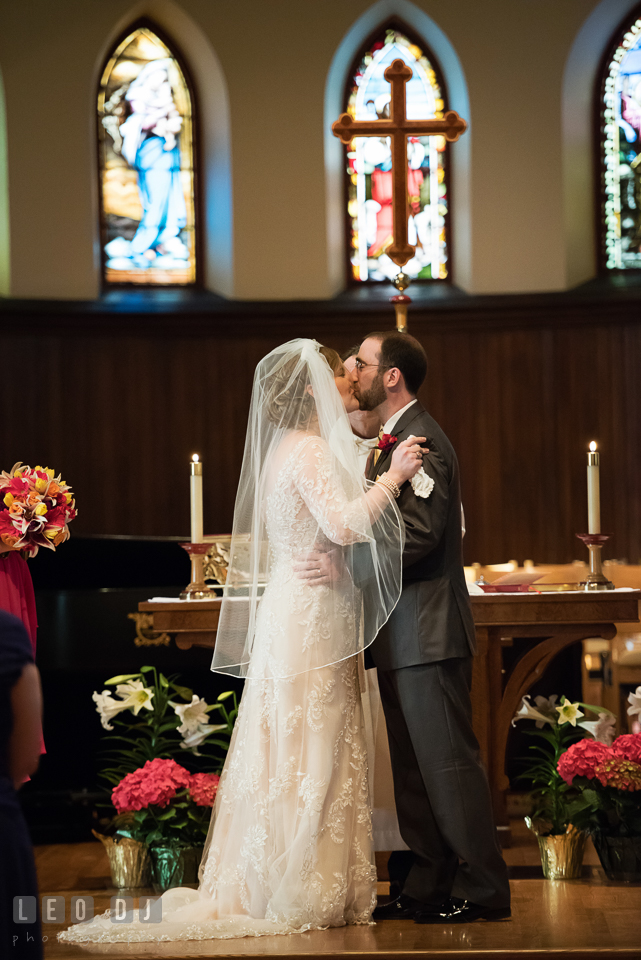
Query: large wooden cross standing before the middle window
(399, 128)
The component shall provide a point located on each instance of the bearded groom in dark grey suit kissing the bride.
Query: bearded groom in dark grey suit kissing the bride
(424, 660)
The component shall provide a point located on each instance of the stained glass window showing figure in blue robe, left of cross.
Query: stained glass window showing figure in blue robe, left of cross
(146, 165)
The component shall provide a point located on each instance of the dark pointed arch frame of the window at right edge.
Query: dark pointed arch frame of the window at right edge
(600, 147)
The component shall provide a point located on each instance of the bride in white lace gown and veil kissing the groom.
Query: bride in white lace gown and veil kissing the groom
(290, 844)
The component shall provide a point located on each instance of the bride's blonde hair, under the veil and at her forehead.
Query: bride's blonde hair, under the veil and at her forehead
(288, 402)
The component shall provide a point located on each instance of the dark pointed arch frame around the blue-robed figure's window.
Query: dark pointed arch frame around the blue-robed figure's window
(177, 54)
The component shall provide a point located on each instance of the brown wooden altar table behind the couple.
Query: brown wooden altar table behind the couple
(548, 622)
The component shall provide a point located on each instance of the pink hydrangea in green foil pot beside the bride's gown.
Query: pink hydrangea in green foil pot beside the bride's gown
(168, 809)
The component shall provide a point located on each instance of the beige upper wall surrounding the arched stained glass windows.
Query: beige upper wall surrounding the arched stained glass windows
(262, 72)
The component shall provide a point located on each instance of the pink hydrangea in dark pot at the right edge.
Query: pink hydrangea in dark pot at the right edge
(608, 780)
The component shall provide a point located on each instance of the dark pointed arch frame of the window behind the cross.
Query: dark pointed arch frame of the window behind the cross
(396, 23)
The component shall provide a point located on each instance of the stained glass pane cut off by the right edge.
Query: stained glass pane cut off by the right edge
(621, 153)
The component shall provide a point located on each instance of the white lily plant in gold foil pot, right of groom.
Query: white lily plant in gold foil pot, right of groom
(558, 819)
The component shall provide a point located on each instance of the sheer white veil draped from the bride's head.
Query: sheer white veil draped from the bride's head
(297, 422)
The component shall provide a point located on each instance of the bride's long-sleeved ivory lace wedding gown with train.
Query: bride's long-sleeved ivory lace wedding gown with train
(291, 843)
